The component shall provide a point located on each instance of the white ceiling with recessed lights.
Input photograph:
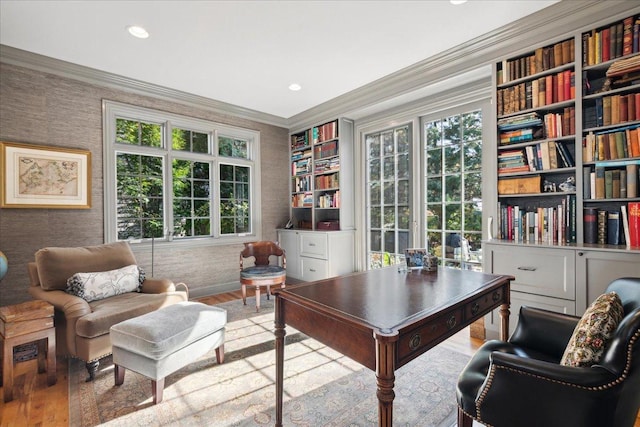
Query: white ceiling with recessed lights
(247, 53)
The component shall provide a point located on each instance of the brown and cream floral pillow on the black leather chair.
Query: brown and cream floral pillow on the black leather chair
(593, 331)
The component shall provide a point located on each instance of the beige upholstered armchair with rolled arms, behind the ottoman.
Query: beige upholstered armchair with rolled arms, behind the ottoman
(82, 322)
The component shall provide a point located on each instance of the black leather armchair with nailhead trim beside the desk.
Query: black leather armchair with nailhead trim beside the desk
(520, 383)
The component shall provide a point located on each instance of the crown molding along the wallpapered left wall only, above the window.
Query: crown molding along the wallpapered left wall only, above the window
(34, 61)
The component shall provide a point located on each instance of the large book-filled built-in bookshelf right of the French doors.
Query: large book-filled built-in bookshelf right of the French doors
(568, 140)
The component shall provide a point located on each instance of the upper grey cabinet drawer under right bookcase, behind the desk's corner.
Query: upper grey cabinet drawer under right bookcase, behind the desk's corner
(543, 271)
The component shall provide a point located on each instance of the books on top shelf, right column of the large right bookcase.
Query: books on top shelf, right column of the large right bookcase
(614, 41)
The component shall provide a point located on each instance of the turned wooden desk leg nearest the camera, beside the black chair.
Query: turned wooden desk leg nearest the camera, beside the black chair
(385, 375)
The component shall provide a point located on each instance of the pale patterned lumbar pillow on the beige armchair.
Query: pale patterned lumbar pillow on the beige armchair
(105, 284)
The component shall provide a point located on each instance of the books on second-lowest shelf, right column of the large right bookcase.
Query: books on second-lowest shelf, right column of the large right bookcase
(611, 183)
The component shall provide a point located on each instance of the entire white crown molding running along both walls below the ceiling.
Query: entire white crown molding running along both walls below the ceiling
(562, 19)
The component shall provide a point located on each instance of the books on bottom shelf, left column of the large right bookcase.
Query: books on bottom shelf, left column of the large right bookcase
(539, 224)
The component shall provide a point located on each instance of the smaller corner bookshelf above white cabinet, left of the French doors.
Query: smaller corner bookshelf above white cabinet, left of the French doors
(322, 176)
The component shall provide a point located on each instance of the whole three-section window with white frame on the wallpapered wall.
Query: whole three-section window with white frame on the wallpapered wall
(178, 178)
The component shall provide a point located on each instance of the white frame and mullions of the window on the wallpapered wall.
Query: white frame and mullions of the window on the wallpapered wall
(113, 110)
